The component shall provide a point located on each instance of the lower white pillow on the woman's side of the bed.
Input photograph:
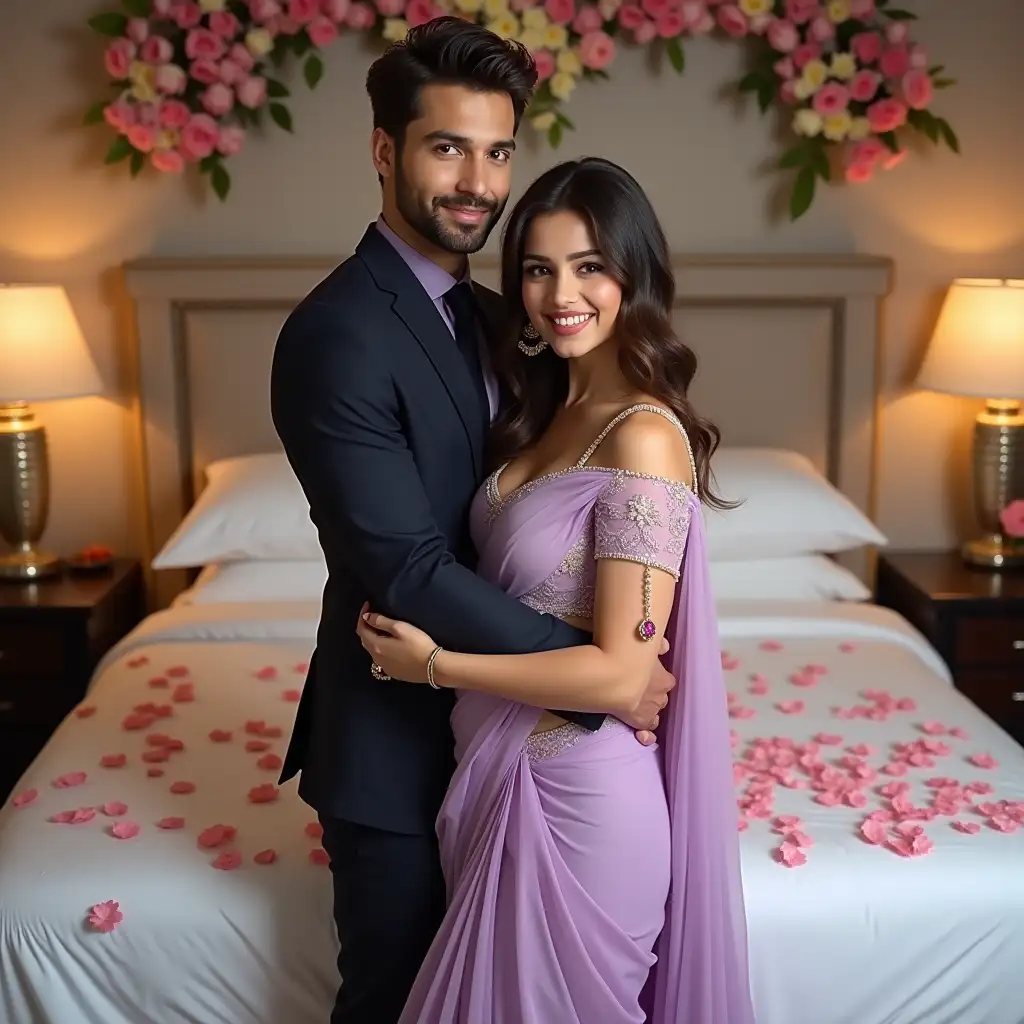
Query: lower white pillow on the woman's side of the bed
(804, 578)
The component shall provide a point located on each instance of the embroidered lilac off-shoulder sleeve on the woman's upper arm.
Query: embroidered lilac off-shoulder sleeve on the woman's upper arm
(644, 520)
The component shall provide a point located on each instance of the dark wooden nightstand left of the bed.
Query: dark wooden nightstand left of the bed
(53, 633)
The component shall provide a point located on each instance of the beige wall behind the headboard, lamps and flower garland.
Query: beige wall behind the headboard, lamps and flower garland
(703, 157)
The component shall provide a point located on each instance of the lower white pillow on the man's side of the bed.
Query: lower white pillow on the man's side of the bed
(233, 583)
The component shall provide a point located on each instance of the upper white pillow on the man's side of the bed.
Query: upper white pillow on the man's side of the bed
(251, 508)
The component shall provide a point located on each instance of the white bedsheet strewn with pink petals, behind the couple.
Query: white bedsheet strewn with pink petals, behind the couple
(858, 935)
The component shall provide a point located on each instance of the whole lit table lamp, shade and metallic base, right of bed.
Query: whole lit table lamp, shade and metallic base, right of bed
(978, 351)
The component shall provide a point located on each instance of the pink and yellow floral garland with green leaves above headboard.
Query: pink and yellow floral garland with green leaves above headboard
(193, 77)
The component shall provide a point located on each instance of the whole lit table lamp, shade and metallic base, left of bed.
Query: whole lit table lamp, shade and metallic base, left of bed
(42, 357)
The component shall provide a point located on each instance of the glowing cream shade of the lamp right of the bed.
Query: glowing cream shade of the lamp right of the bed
(978, 346)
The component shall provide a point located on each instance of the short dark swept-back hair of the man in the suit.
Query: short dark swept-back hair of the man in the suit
(447, 52)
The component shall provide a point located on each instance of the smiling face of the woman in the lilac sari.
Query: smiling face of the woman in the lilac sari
(569, 294)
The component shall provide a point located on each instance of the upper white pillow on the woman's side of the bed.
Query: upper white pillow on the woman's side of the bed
(789, 509)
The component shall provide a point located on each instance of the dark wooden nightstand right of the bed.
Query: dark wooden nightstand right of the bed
(974, 619)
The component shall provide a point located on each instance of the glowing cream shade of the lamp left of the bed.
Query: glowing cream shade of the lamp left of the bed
(42, 353)
